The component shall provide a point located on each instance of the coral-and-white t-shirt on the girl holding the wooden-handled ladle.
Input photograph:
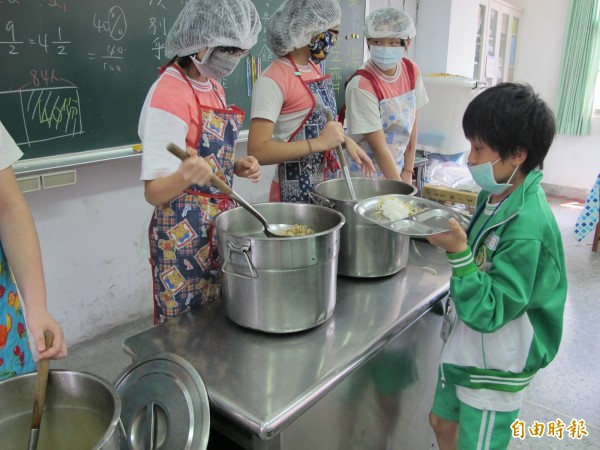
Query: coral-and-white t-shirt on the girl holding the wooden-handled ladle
(170, 114)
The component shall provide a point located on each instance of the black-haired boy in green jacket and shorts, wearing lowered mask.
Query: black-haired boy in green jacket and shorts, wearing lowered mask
(504, 318)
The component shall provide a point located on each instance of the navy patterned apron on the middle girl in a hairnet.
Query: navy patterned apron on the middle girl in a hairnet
(297, 178)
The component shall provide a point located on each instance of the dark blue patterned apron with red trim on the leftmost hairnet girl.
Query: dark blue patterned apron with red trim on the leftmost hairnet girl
(183, 244)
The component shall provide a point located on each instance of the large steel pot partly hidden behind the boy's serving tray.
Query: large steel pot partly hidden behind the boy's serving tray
(366, 250)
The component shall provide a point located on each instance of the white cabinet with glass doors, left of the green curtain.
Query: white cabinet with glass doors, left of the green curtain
(496, 46)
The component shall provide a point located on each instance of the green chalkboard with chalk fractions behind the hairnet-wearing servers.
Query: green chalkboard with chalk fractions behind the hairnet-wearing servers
(75, 72)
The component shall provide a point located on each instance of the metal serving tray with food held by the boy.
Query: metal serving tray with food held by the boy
(425, 217)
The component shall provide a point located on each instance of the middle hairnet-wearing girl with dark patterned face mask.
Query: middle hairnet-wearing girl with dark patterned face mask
(292, 100)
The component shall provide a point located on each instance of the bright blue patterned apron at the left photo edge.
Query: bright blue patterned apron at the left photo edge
(15, 355)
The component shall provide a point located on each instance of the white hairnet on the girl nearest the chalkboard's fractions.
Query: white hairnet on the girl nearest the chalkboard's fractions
(213, 23)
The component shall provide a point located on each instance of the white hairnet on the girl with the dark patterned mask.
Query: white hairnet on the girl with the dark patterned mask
(295, 22)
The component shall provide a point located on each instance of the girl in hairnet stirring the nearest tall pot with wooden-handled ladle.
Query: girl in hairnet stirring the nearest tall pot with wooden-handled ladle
(186, 106)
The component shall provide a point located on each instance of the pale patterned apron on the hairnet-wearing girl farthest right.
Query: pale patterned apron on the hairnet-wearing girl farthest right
(397, 117)
